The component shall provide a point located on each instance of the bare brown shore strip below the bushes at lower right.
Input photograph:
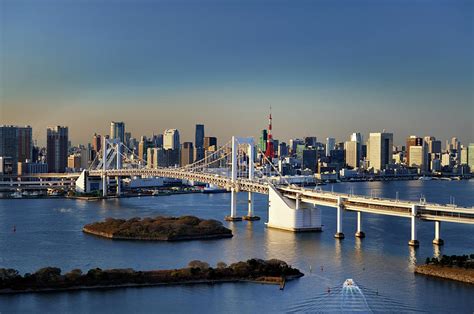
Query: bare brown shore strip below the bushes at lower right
(447, 273)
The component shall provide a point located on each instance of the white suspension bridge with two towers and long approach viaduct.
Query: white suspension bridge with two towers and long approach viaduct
(291, 207)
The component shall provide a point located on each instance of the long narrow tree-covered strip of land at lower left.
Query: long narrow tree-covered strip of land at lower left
(50, 278)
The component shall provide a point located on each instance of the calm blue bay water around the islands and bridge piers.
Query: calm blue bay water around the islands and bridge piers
(49, 234)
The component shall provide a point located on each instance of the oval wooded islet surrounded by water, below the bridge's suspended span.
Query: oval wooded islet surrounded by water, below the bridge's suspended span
(159, 229)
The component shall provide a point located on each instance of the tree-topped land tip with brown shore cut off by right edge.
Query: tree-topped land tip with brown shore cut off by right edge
(458, 268)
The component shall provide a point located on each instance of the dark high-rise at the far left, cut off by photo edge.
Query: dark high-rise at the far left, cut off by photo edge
(9, 149)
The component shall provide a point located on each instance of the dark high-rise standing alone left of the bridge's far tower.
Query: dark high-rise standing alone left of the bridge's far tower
(57, 148)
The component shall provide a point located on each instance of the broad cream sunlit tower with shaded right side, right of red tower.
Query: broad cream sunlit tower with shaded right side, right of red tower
(380, 150)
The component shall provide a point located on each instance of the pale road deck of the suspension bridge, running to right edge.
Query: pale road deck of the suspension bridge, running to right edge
(358, 203)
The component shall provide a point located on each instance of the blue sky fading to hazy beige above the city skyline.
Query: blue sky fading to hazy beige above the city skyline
(328, 68)
